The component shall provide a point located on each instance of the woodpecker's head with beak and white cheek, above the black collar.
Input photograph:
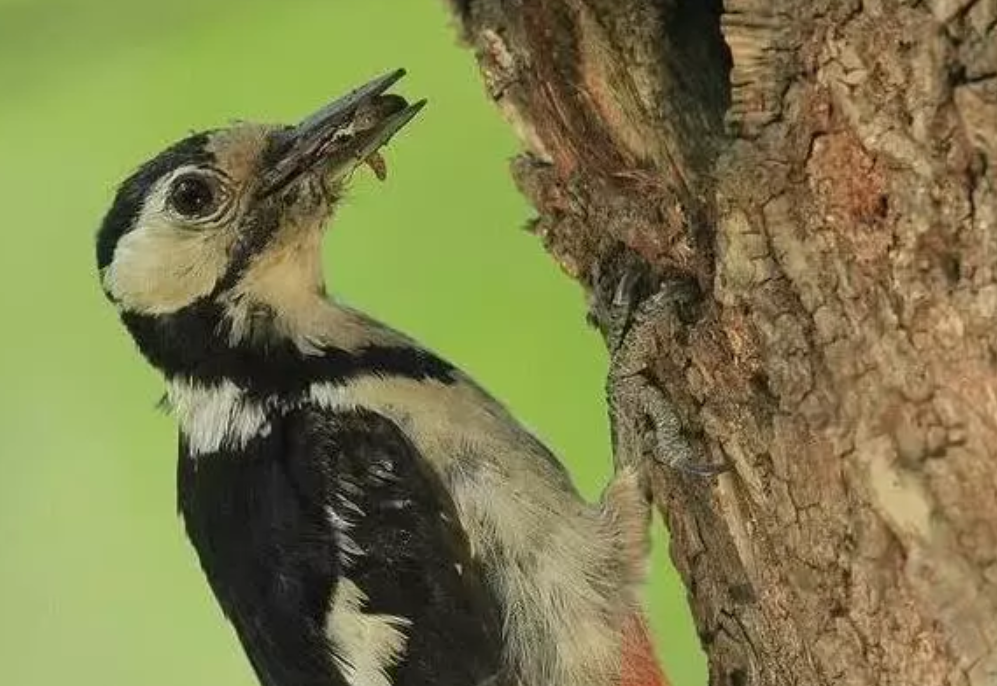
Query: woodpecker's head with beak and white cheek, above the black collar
(225, 215)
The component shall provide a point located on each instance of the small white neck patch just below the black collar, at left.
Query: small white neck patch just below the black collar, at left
(215, 416)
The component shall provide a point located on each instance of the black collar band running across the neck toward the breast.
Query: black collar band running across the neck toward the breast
(192, 343)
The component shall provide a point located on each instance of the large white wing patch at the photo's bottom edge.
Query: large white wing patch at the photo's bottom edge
(365, 645)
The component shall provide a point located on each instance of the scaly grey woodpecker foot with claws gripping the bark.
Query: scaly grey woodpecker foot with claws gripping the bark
(643, 417)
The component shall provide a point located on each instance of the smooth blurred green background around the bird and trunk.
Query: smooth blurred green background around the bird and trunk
(97, 584)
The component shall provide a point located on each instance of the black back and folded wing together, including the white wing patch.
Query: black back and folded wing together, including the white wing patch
(337, 512)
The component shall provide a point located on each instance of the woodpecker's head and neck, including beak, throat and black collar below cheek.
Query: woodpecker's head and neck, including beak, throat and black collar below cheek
(211, 250)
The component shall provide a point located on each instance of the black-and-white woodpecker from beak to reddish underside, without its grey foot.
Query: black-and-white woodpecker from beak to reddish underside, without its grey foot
(364, 512)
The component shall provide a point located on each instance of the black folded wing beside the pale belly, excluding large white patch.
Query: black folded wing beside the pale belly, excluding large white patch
(401, 543)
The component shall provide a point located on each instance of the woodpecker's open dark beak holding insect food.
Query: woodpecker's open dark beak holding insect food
(341, 135)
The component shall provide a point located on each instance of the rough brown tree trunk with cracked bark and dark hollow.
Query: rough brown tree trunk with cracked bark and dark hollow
(826, 171)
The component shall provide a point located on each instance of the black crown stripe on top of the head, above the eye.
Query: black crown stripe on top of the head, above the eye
(120, 219)
